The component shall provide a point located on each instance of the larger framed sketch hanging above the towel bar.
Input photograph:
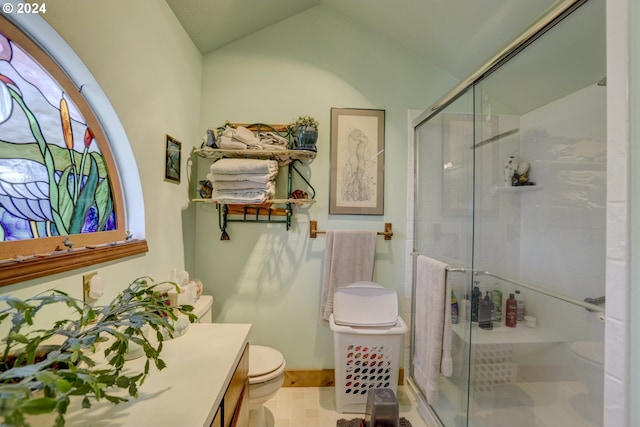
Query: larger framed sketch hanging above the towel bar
(357, 162)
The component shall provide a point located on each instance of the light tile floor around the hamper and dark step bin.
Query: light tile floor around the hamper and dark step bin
(316, 407)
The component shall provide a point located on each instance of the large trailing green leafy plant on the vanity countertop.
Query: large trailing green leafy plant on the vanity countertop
(41, 378)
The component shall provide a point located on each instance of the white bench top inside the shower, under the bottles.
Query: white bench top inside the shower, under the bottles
(504, 335)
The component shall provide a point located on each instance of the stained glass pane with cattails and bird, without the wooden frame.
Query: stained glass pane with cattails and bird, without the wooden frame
(53, 178)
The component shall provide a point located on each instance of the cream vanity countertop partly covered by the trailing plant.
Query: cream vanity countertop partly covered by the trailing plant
(187, 392)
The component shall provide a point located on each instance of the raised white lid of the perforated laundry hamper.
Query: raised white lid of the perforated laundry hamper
(365, 304)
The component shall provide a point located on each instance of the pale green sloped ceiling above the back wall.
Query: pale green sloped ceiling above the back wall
(456, 35)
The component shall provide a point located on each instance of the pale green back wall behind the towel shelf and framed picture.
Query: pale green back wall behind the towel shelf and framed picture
(306, 65)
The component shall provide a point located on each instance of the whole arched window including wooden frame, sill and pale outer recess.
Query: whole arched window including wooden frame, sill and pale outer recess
(61, 199)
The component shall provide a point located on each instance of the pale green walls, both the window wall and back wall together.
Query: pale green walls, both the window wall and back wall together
(158, 83)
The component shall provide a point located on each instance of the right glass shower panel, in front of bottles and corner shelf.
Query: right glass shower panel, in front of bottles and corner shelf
(540, 235)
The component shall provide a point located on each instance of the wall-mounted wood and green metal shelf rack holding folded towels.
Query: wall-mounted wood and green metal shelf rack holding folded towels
(274, 210)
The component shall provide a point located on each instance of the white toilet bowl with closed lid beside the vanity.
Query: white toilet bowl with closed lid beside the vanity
(266, 376)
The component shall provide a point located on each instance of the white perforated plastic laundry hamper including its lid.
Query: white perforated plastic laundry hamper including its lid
(367, 341)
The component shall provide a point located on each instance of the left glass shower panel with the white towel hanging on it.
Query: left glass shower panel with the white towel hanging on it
(443, 229)
